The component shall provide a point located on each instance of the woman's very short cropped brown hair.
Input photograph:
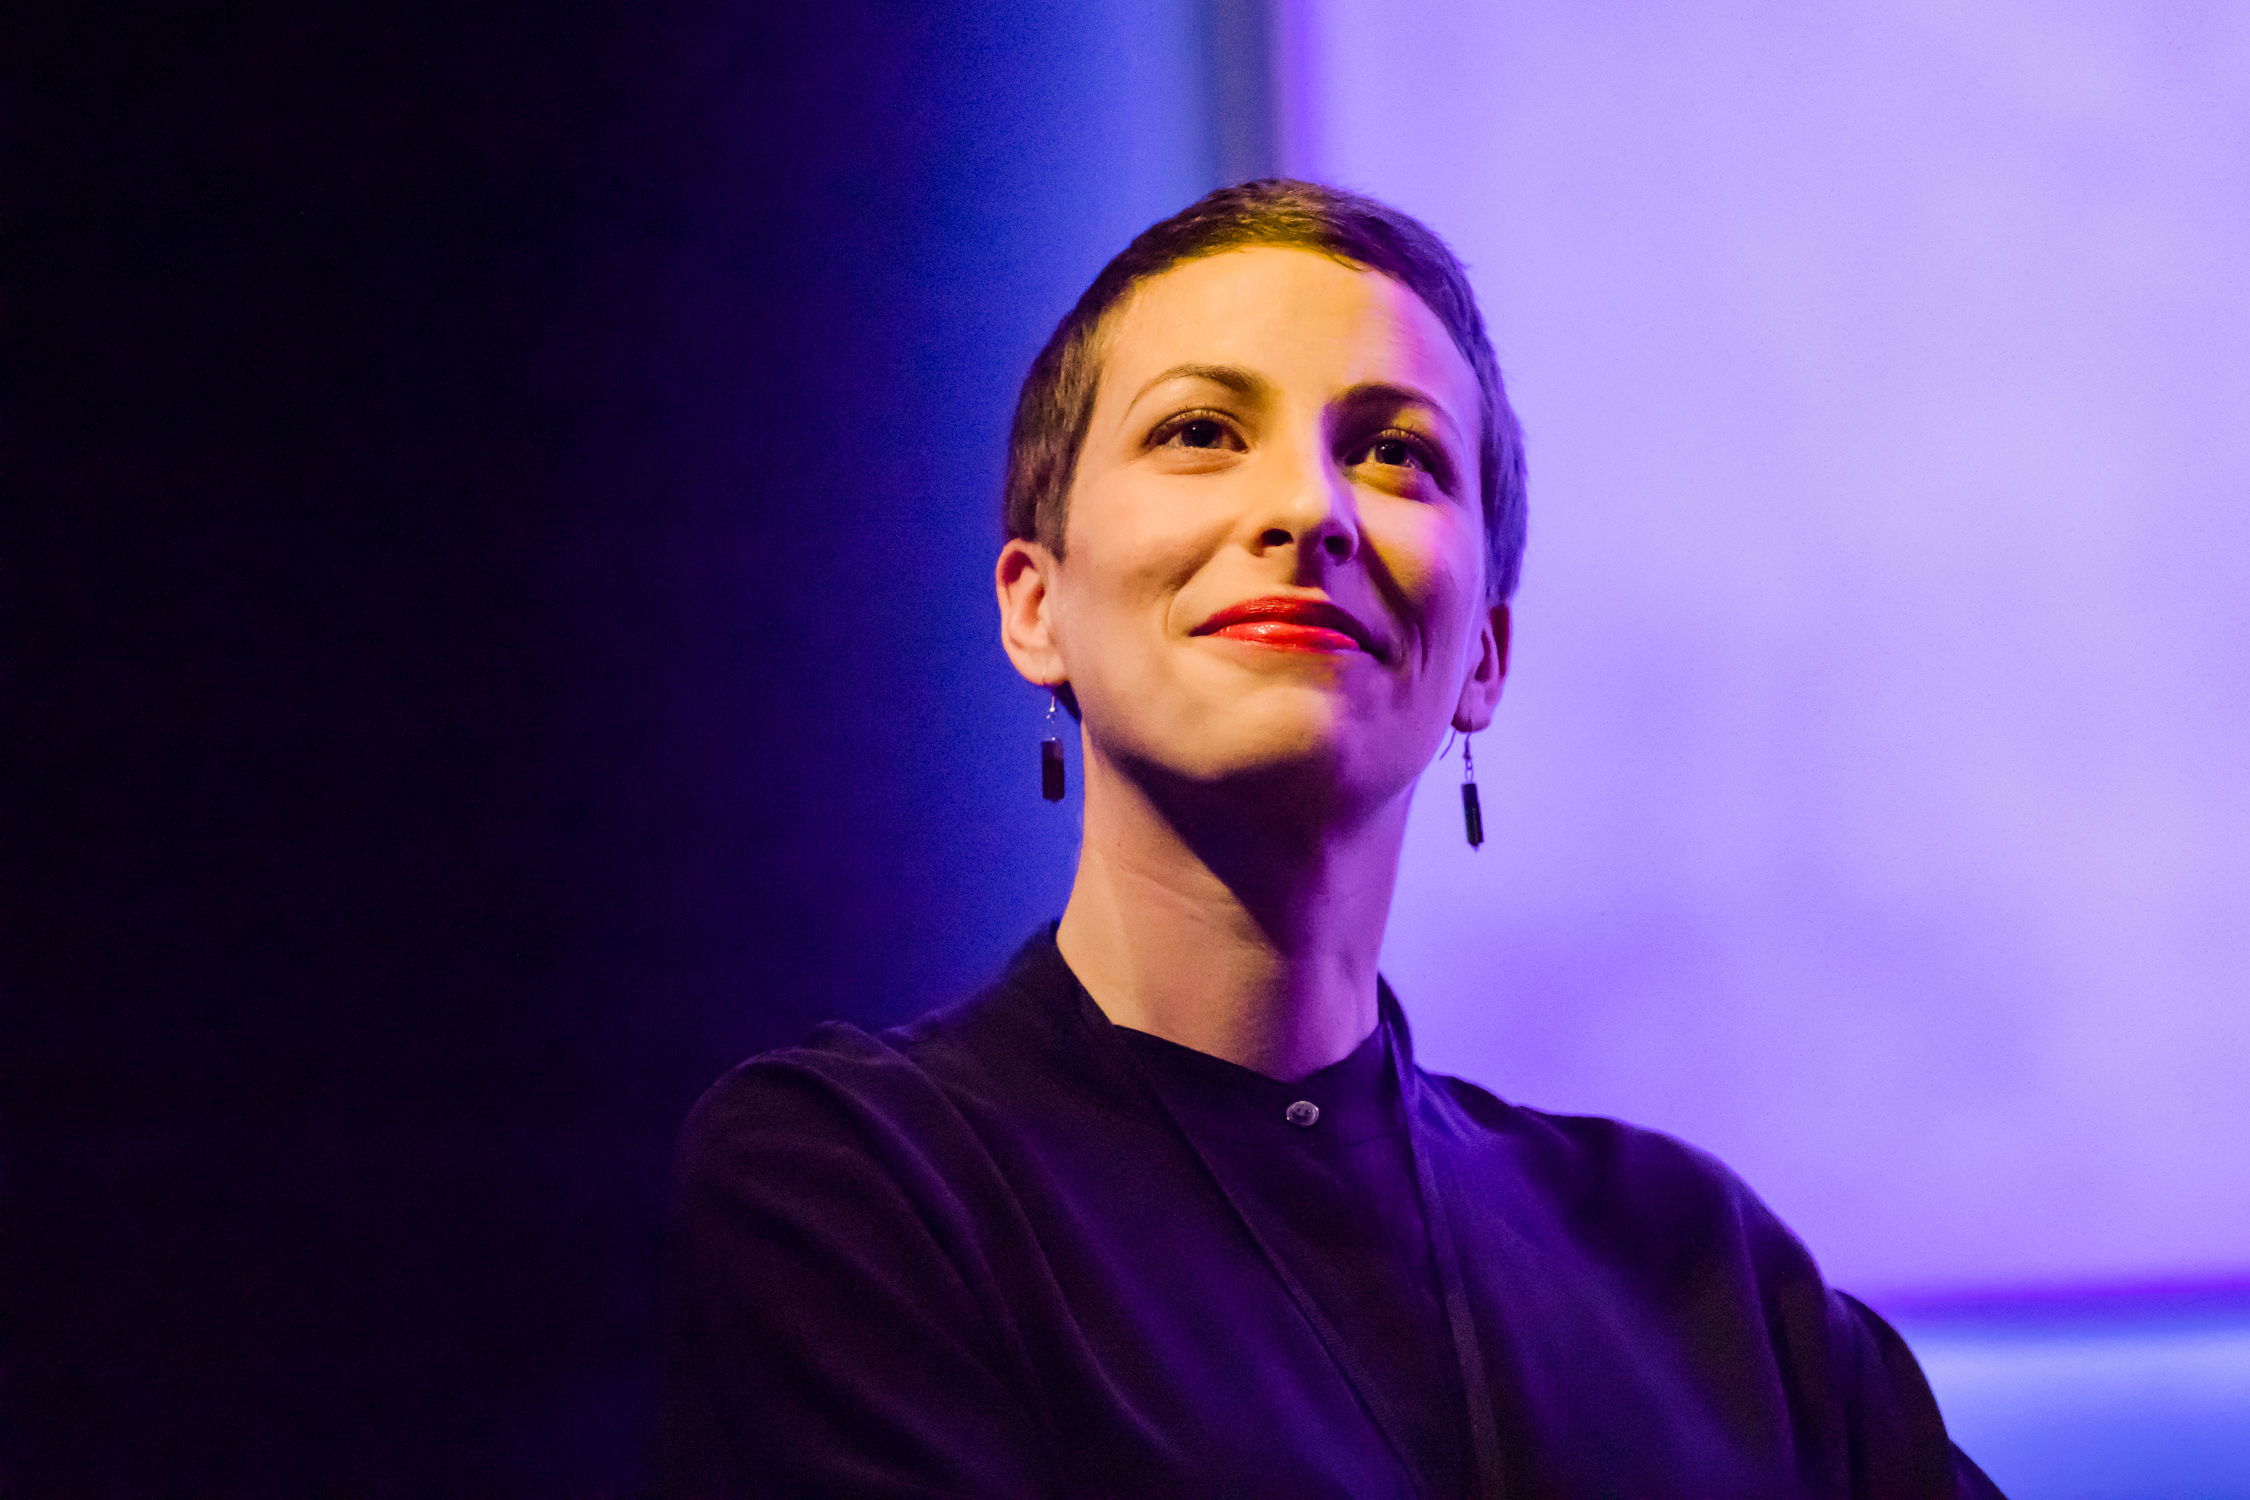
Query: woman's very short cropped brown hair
(1056, 406)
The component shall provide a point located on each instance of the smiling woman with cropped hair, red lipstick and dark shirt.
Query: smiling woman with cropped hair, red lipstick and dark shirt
(1169, 1211)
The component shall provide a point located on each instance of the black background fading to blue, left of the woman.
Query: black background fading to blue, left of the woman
(501, 505)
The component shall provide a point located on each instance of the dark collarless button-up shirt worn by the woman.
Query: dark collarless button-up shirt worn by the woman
(1014, 1249)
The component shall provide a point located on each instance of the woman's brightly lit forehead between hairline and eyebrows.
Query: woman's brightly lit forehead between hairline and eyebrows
(1290, 316)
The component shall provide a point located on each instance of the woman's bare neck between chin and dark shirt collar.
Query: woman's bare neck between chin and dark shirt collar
(1230, 932)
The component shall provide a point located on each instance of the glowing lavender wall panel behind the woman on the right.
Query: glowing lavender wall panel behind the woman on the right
(1871, 804)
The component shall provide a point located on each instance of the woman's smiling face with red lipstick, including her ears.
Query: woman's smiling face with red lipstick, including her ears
(1275, 550)
